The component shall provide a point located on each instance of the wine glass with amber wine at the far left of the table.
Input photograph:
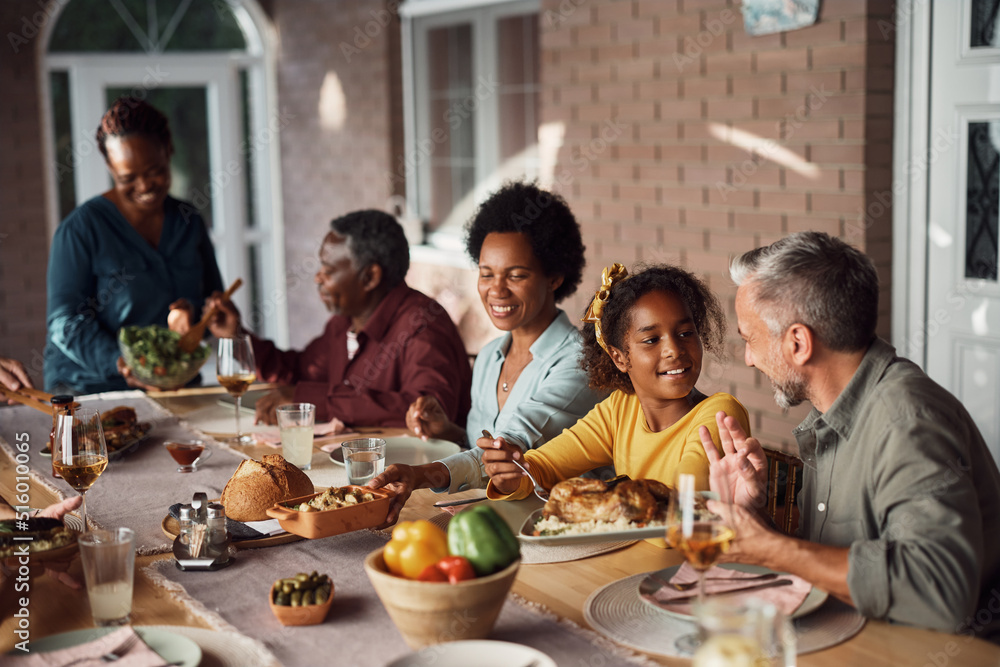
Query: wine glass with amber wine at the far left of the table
(79, 452)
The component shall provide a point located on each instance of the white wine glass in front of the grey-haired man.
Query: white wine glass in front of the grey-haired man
(700, 535)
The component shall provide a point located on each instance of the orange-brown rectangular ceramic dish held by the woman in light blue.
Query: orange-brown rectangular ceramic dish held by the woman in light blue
(325, 523)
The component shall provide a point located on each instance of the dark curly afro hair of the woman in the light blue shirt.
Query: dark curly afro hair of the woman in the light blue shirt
(544, 218)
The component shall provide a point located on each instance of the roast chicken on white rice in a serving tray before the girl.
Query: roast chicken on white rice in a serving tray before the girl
(585, 511)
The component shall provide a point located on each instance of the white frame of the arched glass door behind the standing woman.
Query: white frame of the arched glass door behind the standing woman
(218, 71)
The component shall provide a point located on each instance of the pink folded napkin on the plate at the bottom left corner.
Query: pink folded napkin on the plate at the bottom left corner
(124, 642)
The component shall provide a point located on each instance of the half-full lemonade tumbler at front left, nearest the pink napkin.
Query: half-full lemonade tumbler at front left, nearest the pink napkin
(108, 558)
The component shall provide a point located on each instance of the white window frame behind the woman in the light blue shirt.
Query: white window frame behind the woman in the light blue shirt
(418, 17)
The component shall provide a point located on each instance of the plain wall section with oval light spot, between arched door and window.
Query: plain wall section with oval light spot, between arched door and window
(335, 160)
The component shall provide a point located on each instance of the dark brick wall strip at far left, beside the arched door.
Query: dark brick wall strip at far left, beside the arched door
(23, 226)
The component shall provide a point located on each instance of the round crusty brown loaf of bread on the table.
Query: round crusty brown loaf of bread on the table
(257, 485)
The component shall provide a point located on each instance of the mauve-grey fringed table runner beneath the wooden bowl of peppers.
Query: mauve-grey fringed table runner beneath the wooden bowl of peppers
(358, 630)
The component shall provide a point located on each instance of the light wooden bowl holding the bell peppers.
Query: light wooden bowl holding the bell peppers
(428, 613)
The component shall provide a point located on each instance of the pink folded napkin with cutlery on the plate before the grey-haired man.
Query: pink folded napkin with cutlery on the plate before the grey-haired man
(719, 581)
